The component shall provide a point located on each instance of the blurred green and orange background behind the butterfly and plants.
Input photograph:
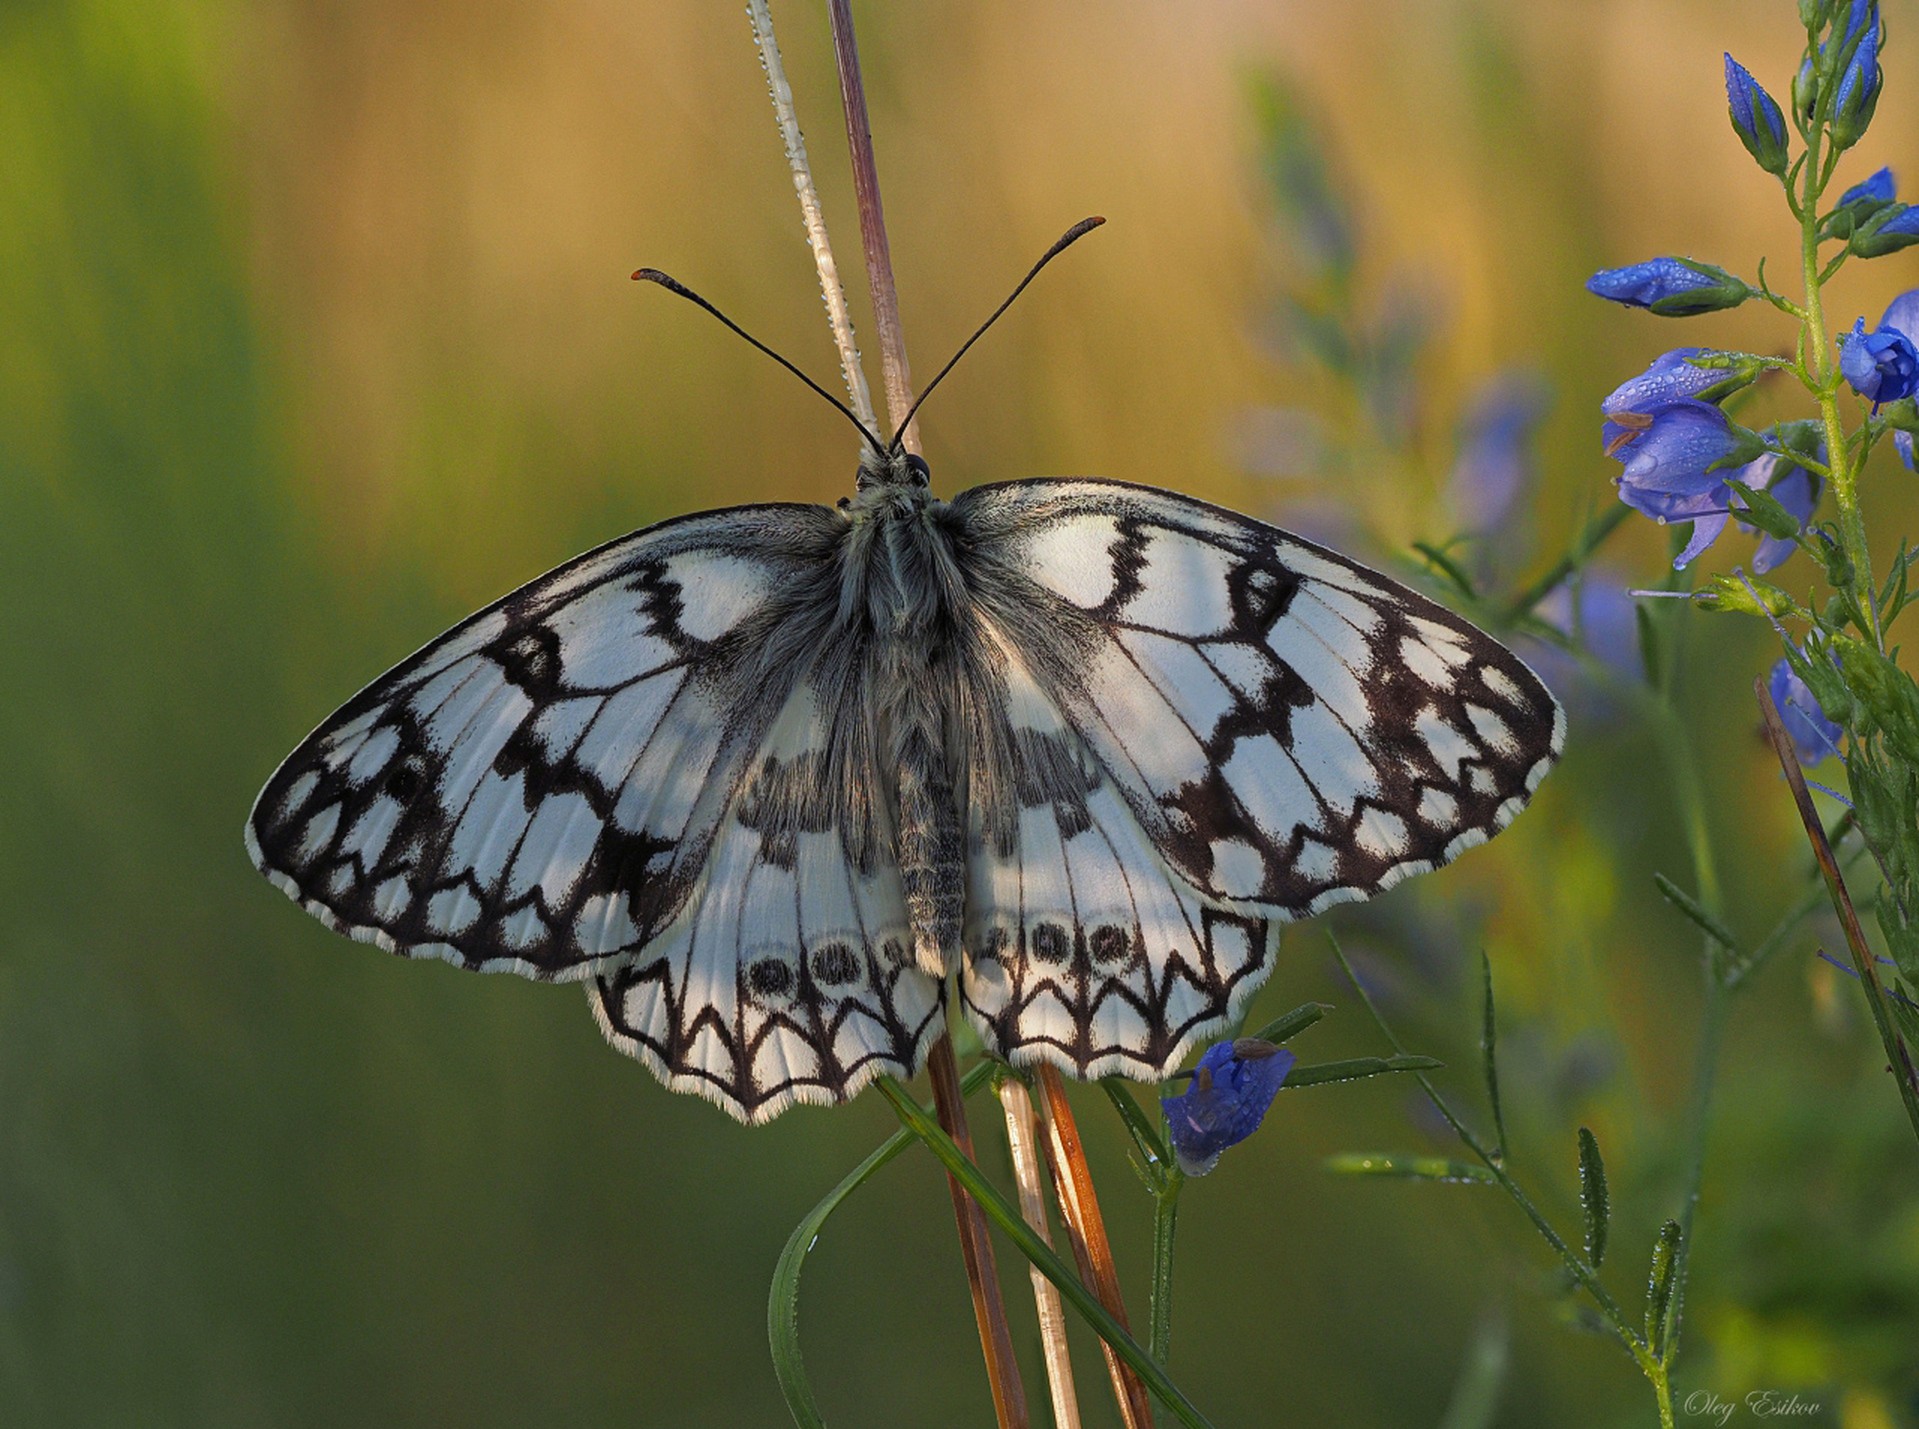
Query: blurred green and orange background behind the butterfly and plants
(316, 335)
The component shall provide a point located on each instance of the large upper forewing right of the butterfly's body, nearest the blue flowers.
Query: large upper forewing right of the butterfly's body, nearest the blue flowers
(1289, 728)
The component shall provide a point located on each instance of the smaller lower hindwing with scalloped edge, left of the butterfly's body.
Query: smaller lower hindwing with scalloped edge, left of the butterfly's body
(790, 973)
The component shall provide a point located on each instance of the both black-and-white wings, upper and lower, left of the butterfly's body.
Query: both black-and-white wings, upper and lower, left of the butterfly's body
(548, 787)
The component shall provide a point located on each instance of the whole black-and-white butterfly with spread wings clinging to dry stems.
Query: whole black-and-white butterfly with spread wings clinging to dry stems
(778, 782)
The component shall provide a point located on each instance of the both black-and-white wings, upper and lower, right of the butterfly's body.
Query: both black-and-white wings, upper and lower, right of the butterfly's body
(1231, 730)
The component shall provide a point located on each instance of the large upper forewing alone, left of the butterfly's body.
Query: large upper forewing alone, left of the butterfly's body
(540, 787)
